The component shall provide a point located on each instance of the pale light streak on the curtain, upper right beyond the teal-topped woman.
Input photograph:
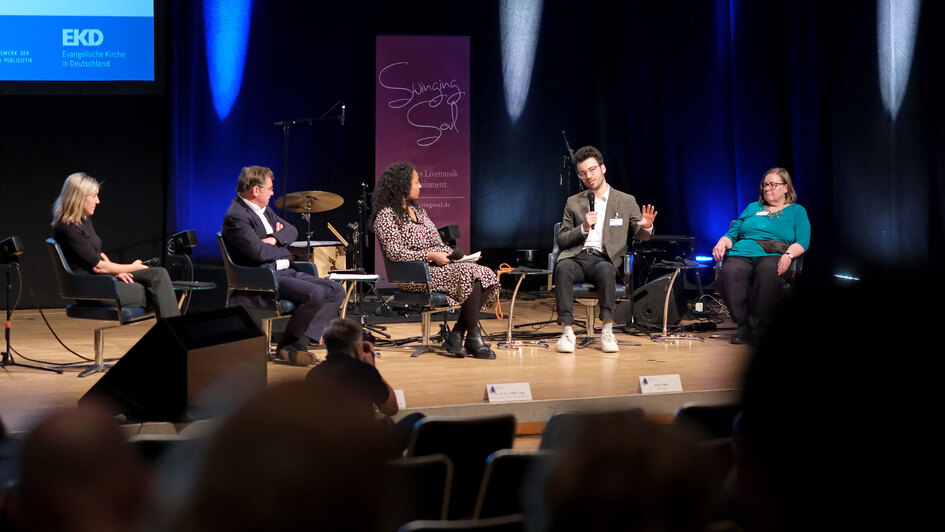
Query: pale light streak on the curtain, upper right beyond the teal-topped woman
(896, 24)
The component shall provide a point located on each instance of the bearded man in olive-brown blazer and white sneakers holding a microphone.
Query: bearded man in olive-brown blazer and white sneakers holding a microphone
(593, 243)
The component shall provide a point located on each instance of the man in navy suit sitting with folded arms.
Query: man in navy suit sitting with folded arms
(255, 236)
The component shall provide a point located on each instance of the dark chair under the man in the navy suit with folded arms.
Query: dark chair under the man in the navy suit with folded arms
(259, 279)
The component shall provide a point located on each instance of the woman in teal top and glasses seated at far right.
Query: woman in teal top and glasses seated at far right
(761, 244)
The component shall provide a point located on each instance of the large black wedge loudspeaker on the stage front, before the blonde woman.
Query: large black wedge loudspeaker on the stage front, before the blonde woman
(165, 375)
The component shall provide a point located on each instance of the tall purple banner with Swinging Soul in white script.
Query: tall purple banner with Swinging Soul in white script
(422, 117)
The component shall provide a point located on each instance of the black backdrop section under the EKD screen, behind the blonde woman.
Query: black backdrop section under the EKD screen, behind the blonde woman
(120, 140)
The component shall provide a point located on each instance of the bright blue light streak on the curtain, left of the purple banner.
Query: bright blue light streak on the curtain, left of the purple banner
(226, 31)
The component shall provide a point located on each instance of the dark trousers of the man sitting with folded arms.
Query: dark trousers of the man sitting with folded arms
(316, 301)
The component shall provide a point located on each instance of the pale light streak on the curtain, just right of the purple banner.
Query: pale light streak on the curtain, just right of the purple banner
(519, 21)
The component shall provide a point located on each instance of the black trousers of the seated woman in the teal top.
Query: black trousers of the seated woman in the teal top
(751, 287)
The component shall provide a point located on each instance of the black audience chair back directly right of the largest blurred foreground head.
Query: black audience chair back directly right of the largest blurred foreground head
(421, 485)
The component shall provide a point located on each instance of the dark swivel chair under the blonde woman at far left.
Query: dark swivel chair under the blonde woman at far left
(96, 298)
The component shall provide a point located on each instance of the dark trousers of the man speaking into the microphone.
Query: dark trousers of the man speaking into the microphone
(585, 267)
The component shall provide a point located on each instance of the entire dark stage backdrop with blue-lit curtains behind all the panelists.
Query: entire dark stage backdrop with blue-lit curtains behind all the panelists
(690, 101)
